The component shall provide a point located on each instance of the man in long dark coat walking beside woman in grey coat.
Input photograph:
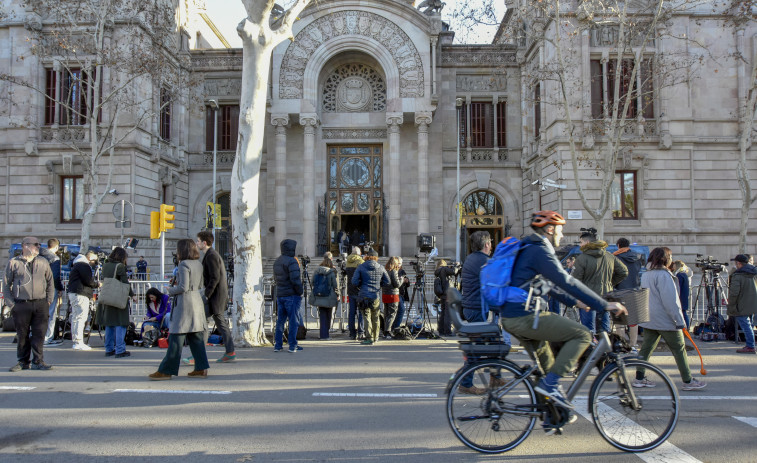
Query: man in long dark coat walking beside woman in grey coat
(216, 292)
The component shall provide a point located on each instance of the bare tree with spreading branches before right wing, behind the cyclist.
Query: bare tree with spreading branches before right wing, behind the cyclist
(600, 132)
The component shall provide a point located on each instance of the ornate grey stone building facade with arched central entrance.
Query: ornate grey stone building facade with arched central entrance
(369, 106)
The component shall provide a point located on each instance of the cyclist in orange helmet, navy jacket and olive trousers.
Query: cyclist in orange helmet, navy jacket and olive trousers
(537, 257)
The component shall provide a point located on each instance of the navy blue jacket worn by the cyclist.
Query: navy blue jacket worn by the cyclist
(537, 257)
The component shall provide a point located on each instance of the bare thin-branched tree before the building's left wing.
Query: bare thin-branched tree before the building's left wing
(107, 53)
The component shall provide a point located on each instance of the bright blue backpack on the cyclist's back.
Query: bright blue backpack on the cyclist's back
(496, 275)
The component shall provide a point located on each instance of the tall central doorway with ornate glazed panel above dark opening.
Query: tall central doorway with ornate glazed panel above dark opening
(355, 194)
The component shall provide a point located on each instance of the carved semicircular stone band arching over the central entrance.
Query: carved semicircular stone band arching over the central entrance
(360, 23)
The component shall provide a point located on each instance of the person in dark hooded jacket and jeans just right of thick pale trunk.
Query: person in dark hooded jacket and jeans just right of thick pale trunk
(288, 276)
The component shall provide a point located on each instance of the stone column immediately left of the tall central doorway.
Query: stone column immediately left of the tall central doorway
(308, 245)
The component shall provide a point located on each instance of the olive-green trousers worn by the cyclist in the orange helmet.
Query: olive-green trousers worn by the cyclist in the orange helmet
(551, 328)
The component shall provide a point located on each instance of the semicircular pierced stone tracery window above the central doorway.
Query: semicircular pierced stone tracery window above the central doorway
(354, 88)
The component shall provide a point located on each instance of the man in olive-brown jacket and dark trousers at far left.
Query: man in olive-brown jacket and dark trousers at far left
(29, 291)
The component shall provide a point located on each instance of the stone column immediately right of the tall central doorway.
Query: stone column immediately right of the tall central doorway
(394, 246)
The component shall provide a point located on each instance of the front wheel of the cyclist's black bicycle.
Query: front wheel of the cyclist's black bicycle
(623, 426)
